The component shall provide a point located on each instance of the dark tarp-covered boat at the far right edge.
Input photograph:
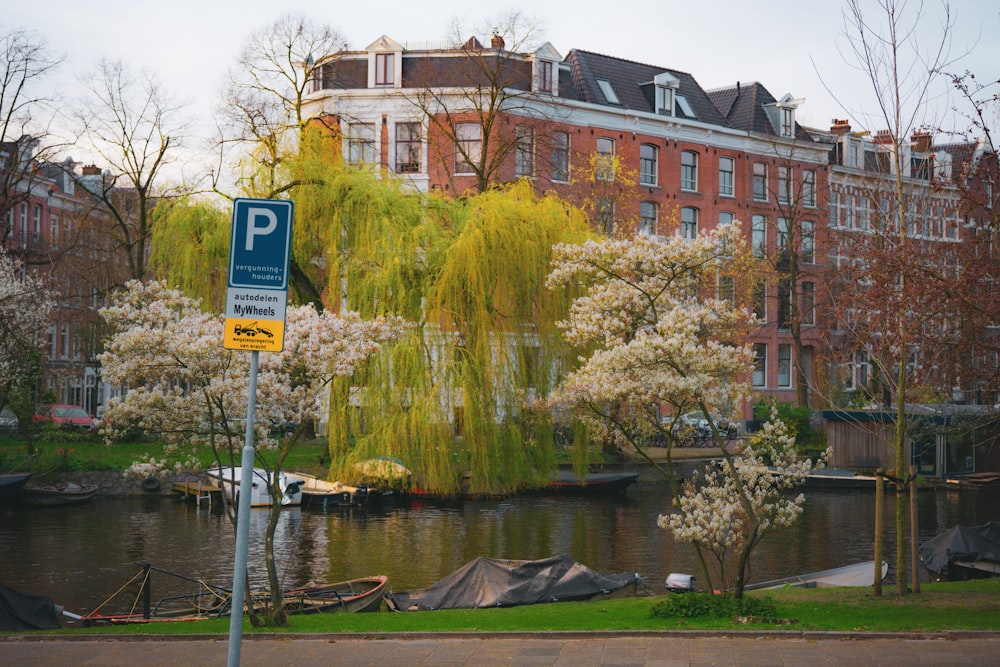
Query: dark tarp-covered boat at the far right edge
(964, 552)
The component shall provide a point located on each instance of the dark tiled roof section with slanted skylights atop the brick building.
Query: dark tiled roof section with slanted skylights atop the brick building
(632, 83)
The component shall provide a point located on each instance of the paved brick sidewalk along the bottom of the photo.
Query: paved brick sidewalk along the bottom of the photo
(651, 650)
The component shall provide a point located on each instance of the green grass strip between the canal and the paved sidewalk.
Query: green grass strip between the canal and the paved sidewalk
(970, 605)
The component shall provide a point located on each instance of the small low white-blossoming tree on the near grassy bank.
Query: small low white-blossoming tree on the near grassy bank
(727, 510)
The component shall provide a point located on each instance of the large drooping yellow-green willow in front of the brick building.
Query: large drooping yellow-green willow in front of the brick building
(456, 401)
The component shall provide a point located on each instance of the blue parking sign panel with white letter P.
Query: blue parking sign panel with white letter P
(260, 243)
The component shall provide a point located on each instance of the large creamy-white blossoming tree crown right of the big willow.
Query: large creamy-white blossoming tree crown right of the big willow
(662, 341)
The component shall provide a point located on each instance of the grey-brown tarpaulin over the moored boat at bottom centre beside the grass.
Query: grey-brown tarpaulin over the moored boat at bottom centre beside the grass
(495, 582)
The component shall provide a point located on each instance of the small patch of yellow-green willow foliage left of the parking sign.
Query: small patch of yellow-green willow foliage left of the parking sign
(190, 249)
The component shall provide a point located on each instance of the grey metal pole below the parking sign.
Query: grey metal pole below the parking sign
(243, 523)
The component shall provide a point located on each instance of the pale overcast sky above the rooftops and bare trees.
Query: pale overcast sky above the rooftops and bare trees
(791, 46)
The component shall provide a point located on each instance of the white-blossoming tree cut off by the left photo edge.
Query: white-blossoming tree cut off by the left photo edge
(24, 311)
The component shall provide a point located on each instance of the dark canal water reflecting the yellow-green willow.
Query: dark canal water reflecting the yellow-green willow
(80, 555)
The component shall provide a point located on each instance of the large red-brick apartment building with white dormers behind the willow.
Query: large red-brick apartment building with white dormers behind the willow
(690, 159)
